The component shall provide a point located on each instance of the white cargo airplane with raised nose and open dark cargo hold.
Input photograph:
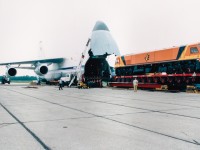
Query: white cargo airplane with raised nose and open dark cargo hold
(99, 47)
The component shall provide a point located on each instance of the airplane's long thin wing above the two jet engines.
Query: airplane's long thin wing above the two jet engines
(53, 60)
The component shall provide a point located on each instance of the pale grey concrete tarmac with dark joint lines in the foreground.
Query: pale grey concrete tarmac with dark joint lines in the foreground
(97, 119)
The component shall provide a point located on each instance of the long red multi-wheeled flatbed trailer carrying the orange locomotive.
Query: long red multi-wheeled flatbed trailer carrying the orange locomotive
(157, 81)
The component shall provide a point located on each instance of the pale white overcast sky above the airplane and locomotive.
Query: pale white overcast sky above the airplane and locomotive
(64, 26)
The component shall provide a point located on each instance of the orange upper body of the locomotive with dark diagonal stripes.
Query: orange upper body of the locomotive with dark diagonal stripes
(189, 52)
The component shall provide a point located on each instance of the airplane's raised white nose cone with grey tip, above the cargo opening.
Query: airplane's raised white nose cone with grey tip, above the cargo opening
(102, 43)
